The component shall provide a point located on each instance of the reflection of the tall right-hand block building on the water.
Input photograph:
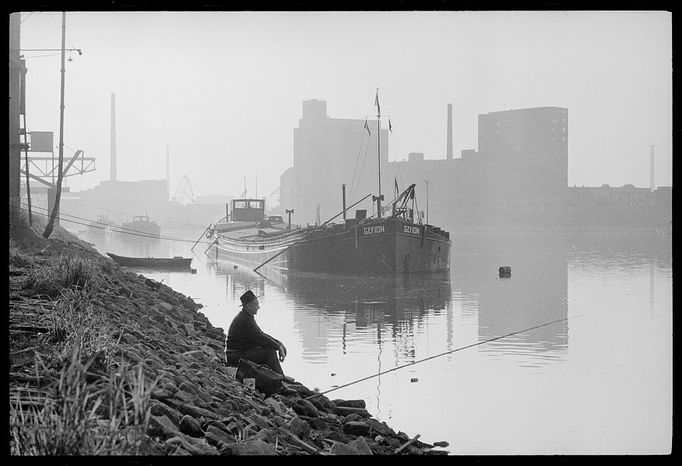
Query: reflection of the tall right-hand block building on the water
(534, 294)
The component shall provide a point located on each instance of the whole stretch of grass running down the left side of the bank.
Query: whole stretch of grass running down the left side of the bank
(98, 405)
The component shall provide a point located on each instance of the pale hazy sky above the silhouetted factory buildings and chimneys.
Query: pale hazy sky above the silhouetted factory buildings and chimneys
(224, 90)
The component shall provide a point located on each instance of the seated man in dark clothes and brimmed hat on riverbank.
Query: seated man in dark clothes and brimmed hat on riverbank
(245, 340)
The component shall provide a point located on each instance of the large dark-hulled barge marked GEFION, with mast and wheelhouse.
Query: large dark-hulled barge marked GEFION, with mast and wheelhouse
(397, 243)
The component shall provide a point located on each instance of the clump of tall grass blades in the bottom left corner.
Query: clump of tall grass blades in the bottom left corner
(109, 417)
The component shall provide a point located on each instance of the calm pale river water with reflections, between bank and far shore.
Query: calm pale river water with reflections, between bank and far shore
(596, 381)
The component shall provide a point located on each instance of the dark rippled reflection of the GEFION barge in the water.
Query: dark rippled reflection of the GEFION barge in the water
(333, 308)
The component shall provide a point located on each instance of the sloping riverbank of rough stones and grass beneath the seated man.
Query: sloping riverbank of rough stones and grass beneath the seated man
(135, 343)
